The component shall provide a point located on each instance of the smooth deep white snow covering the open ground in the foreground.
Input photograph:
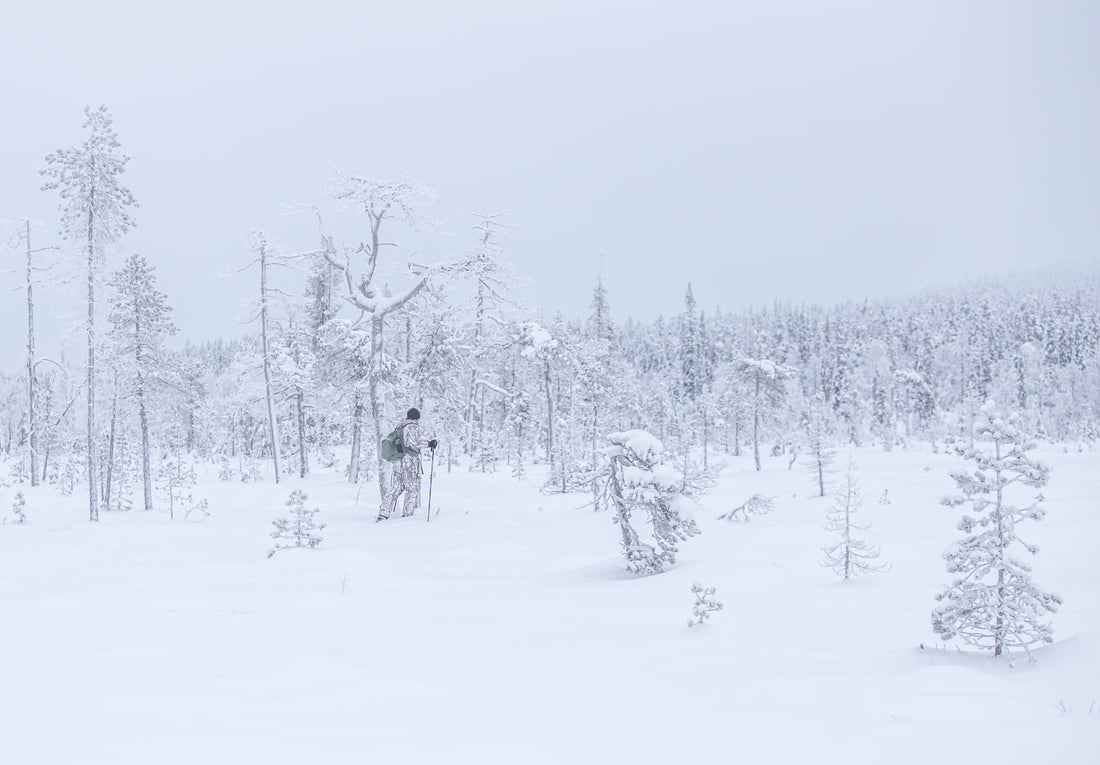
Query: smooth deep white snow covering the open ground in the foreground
(507, 631)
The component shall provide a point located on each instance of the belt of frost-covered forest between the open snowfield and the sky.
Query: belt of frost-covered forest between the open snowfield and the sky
(503, 387)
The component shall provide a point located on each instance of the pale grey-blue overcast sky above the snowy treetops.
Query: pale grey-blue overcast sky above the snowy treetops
(805, 151)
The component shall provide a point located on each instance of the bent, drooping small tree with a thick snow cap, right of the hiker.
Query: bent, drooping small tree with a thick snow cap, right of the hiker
(637, 480)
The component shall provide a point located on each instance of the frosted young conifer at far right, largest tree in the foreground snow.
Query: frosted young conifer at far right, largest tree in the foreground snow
(994, 604)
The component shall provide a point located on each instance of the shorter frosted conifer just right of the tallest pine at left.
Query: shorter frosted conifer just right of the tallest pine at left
(140, 324)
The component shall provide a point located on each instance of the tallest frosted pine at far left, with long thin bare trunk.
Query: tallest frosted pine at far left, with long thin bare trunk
(95, 209)
